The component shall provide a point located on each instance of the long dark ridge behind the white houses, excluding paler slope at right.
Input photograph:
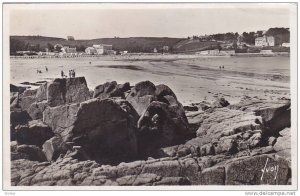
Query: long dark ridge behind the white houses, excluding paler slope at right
(131, 44)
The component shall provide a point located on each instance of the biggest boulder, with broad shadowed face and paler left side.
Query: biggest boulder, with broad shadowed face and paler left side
(106, 129)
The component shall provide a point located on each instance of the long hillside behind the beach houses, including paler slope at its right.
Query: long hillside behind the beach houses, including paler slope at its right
(132, 44)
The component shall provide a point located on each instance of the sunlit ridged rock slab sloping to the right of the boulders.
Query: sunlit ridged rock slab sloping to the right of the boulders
(232, 130)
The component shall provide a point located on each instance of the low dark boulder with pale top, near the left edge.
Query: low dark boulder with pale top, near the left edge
(33, 133)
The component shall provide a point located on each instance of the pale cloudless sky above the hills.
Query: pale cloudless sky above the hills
(164, 21)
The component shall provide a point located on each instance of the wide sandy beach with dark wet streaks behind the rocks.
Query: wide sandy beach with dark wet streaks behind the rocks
(192, 78)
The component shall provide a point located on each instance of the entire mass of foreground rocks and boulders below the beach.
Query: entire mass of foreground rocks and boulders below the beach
(86, 142)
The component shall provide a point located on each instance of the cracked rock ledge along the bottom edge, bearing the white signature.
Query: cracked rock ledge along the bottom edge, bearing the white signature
(186, 171)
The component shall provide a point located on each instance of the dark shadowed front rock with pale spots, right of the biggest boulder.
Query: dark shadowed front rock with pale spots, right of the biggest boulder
(161, 126)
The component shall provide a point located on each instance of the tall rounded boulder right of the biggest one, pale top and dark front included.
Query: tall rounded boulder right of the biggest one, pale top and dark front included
(162, 117)
